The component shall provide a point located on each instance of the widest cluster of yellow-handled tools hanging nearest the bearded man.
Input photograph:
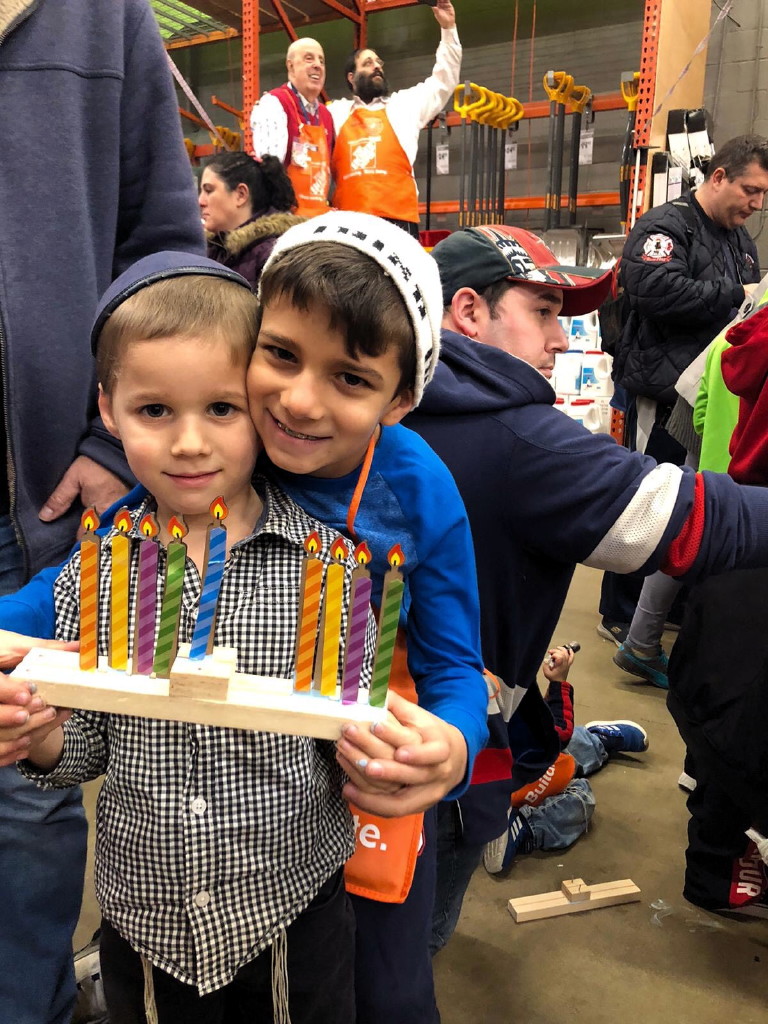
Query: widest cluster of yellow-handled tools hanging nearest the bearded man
(490, 116)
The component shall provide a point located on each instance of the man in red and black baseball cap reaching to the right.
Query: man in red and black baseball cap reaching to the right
(544, 494)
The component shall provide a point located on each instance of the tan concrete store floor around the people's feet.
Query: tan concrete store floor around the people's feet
(681, 967)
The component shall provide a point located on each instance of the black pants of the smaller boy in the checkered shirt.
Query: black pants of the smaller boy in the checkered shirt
(321, 975)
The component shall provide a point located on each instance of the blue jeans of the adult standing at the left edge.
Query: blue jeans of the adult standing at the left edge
(42, 863)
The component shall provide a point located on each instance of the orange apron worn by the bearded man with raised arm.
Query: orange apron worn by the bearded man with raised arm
(371, 169)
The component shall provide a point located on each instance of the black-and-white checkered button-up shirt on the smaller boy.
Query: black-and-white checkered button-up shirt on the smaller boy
(210, 841)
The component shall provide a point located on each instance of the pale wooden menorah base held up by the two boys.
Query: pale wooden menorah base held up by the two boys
(207, 693)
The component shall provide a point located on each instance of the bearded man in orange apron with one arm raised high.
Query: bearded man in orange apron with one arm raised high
(377, 135)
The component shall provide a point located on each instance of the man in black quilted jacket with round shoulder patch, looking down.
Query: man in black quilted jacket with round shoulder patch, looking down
(687, 269)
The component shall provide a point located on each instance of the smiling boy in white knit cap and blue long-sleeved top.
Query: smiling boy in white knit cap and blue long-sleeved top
(350, 337)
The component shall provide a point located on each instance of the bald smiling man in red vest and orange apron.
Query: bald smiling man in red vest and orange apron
(292, 124)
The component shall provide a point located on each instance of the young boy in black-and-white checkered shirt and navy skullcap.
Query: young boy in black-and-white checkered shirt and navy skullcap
(220, 852)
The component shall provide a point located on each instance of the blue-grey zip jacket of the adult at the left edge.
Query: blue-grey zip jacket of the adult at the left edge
(94, 176)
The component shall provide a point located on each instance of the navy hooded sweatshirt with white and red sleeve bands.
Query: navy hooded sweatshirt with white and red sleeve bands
(544, 494)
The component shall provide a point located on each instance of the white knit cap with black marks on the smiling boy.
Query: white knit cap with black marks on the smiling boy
(412, 270)
